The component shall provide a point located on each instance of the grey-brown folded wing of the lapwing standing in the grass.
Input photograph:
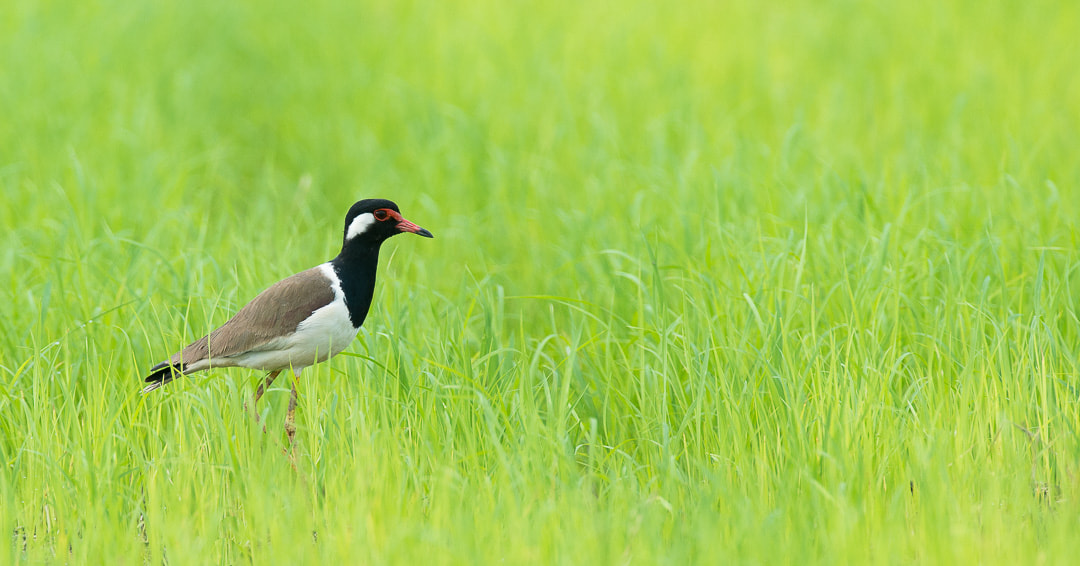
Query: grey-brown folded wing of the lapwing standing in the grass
(274, 314)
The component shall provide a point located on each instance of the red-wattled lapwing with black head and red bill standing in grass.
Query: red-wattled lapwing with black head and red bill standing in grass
(302, 320)
